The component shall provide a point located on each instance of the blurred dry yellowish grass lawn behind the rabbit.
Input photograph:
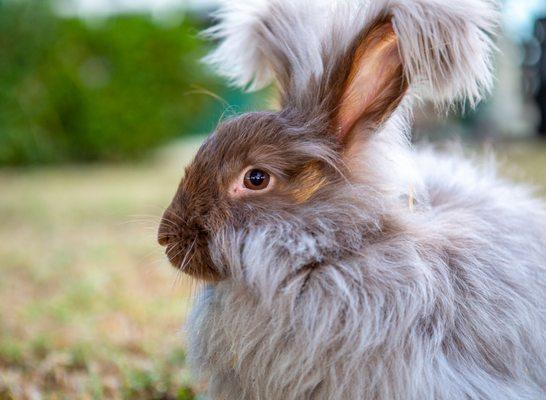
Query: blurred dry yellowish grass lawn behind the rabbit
(89, 308)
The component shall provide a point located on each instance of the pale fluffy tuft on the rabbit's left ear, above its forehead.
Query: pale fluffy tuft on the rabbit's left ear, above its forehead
(260, 39)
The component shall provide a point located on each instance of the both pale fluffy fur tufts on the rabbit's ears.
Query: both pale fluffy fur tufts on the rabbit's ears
(446, 46)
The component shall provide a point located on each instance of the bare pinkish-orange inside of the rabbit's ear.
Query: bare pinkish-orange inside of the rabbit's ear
(374, 82)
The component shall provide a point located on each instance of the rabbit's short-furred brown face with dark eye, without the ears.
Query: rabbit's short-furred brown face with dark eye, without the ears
(251, 170)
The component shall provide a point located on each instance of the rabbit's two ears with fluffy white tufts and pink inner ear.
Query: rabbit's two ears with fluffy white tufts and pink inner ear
(443, 46)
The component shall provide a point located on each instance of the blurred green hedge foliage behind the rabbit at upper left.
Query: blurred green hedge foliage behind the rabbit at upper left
(72, 90)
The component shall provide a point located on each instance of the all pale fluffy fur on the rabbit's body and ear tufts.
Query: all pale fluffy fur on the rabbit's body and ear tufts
(442, 300)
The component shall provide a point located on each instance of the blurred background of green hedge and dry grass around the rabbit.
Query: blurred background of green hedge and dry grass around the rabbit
(102, 103)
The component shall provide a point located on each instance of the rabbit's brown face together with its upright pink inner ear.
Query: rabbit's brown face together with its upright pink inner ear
(260, 166)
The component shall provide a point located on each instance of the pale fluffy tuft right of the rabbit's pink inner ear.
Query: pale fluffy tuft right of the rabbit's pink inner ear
(446, 46)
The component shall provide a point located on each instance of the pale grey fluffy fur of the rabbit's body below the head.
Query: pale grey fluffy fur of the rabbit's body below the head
(452, 307)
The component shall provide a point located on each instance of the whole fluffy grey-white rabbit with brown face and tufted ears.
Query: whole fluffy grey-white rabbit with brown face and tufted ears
(339, 260)
